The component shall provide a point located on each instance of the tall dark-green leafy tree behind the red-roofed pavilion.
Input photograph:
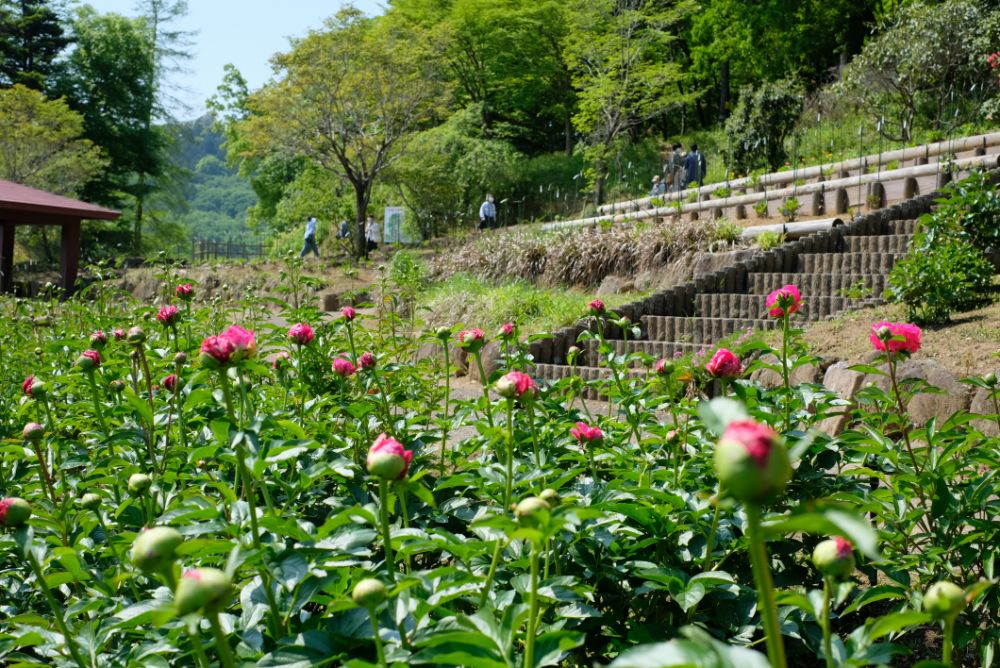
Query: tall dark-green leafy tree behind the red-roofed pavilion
(111, 81)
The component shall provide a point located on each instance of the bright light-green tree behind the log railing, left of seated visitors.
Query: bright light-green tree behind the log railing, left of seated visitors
(619, 54)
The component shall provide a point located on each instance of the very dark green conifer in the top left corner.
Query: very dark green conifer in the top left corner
(31, 39)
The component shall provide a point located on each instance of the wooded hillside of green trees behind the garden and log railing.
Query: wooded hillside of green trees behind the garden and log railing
(553, 106)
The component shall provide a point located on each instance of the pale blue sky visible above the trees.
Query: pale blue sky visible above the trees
(243, 32)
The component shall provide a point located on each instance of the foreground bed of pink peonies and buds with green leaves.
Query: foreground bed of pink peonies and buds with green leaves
(187, 483)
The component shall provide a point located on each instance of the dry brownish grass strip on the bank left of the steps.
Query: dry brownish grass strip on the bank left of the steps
(582, 257)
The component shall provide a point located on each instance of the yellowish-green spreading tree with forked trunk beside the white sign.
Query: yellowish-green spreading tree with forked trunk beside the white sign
(347, 98)
